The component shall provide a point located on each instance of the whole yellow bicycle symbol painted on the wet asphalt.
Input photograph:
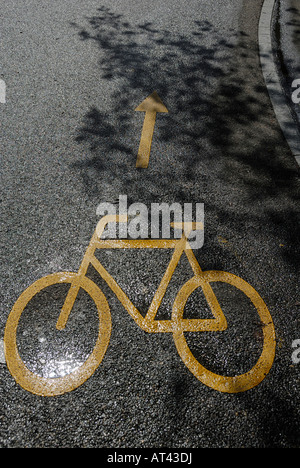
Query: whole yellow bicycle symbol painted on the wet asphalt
(177, 325)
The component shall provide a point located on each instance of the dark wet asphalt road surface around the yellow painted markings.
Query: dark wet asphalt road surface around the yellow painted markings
(69, 140)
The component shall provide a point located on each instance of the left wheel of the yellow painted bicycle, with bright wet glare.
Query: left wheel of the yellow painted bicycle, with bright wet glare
(38, 384)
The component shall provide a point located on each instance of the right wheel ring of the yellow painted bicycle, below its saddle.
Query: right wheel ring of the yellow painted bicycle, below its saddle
(221, 383)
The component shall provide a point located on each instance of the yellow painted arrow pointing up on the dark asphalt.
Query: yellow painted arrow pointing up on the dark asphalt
(151, 105)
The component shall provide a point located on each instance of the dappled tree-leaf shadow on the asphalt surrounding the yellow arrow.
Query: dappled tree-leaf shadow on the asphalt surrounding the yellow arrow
(220, 142)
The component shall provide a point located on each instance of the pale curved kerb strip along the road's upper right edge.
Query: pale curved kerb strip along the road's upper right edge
(272, 80)
